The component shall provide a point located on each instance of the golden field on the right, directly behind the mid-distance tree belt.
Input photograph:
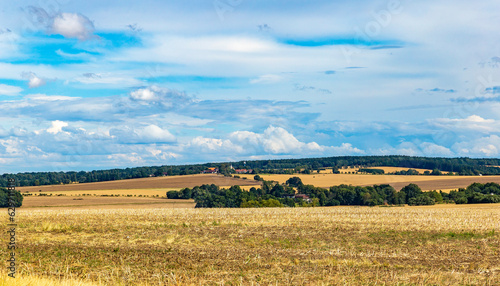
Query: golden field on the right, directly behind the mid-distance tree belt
(397, 181)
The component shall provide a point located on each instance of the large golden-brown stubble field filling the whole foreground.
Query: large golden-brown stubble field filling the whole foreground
(439, 245)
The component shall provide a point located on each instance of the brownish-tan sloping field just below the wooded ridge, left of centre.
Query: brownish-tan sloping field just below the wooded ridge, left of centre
(168, 182)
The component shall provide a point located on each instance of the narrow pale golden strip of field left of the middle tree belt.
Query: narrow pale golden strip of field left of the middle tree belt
(65, 201)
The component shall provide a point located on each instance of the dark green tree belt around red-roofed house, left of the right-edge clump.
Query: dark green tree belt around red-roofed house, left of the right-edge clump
(296, 194)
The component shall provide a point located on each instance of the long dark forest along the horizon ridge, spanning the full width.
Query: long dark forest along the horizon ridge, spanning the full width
(461, 166)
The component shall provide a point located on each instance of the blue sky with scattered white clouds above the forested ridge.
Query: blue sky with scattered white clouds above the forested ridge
(88, 85)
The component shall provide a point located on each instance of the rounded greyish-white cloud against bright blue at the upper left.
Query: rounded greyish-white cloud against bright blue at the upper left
(73, 25)
